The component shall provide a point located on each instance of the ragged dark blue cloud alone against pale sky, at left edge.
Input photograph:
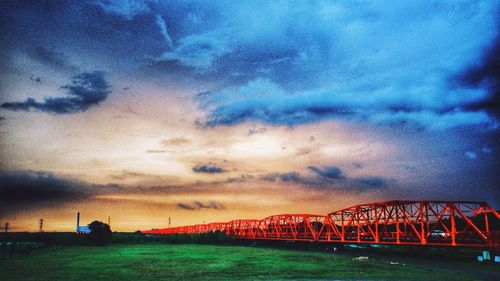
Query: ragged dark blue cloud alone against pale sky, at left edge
(85, 90)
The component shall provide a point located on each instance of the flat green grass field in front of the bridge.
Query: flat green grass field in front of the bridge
(208, 262)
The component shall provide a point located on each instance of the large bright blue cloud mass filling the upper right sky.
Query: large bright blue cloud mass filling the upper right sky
(356, 61)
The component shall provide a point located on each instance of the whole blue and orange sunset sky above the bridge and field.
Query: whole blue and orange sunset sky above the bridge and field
(206, 111)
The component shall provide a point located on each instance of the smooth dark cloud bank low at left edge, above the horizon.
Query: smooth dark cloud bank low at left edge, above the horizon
(26, 189)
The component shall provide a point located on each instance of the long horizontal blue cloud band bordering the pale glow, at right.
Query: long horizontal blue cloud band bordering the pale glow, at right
(265, 101)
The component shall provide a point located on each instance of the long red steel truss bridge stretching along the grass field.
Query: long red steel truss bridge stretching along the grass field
(431, 223)
